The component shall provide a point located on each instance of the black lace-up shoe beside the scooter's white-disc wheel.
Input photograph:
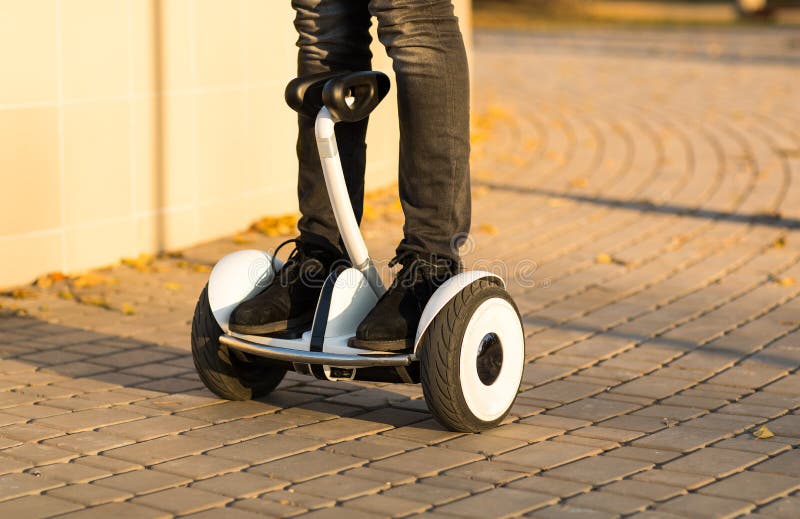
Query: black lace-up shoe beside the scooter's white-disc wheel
(392, 324)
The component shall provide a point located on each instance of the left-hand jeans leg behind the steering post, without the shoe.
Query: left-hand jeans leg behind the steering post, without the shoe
(333, 35)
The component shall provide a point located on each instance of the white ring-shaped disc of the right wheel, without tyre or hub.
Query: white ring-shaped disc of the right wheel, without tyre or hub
(494, 316)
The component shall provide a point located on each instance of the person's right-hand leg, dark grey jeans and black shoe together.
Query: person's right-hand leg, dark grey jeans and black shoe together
(424, 41)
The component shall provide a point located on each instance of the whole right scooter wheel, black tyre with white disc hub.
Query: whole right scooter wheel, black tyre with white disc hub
(471, 358)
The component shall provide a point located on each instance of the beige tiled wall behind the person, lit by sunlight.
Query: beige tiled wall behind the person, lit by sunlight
(131, 126)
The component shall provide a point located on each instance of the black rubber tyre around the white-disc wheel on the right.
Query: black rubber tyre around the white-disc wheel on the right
(439, 353)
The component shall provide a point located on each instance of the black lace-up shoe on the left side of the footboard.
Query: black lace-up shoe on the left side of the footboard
(287, 305)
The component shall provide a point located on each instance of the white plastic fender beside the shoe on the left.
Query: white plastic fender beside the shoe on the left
(237, 277)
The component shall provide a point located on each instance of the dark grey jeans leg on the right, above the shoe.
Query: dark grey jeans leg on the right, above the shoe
(425, 44)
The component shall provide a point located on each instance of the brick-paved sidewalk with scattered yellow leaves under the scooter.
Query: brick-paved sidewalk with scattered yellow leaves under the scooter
(642, 191)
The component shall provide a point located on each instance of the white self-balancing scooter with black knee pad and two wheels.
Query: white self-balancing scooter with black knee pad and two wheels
(469, 350)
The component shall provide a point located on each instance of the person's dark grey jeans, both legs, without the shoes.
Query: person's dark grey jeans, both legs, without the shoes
(423, 39)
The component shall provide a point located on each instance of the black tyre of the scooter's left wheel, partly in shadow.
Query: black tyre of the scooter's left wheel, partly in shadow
(223, 372)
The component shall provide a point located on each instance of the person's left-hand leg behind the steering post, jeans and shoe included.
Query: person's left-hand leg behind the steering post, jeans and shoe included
(333, 35)
